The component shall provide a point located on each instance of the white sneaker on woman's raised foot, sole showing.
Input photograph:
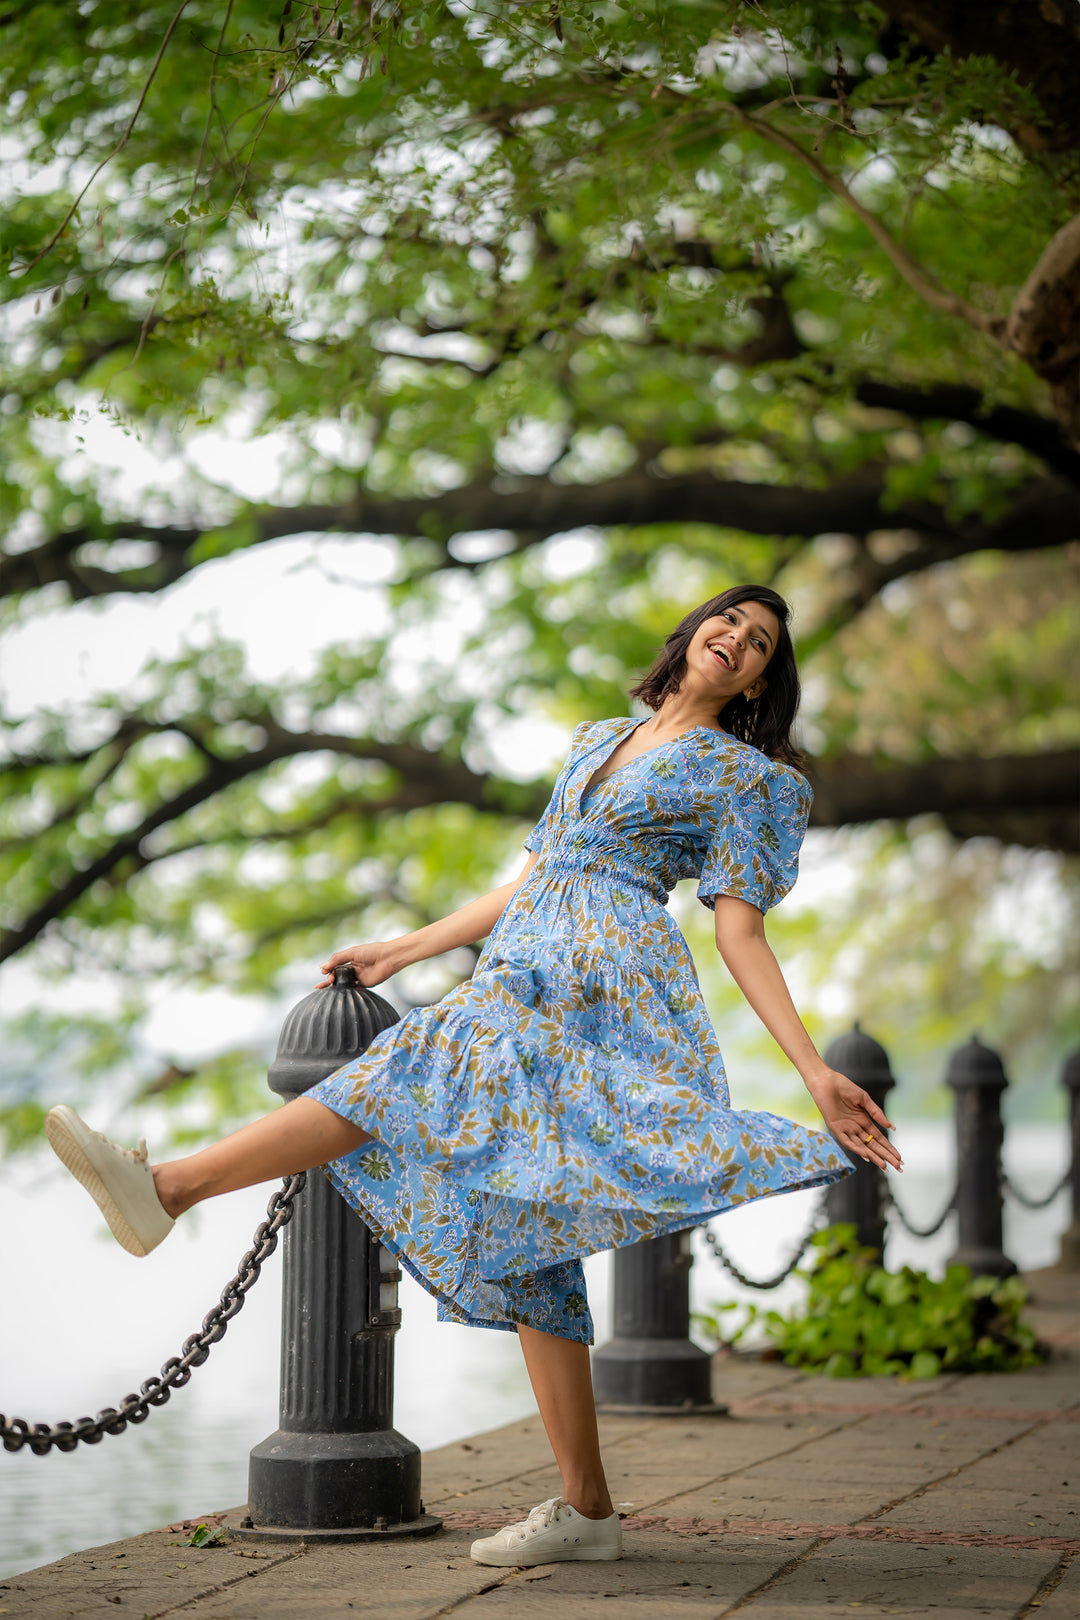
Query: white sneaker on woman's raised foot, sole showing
(119, 1180)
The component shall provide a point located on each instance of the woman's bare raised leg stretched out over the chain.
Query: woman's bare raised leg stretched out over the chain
(296, 1138)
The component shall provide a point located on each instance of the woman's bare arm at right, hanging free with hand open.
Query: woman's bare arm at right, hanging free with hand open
(849, 1112)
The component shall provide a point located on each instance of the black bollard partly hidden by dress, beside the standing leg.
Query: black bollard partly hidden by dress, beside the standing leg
(652, 1366)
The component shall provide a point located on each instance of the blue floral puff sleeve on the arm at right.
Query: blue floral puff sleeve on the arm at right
(754, 853)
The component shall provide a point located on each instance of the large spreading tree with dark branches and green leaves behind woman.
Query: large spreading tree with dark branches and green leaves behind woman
(786, 294)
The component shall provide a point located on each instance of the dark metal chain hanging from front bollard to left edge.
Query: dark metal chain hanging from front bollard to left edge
(177, 1371)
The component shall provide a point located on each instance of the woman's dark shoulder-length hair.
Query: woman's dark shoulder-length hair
(767, 722)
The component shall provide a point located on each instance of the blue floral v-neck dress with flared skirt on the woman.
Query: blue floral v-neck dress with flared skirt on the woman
(571, 1096)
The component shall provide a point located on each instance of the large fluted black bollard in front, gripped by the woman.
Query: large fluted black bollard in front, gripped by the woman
(336, 1469)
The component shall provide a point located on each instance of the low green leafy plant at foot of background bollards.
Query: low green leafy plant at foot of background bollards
(862, 1321)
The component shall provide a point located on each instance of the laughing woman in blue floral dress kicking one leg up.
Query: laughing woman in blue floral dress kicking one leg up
(571, 1096)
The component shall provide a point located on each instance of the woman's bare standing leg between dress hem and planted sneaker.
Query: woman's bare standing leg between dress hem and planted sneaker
(563, 1384)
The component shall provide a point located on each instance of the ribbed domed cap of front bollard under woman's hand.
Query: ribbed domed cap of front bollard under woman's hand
(326, 1031)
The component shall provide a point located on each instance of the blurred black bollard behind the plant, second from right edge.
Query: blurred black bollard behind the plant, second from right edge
(979, 1080)
